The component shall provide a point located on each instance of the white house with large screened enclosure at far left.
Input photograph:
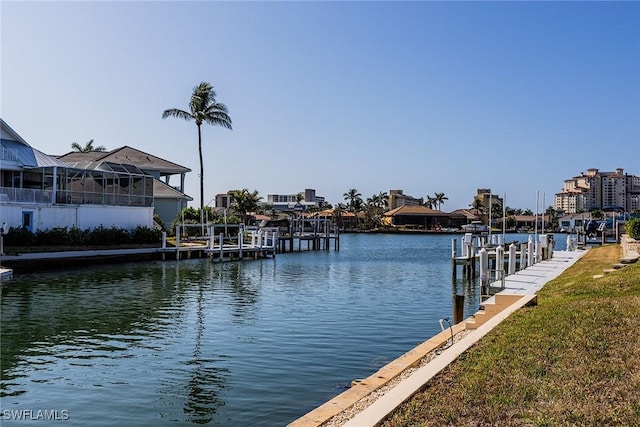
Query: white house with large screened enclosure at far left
(40, 192)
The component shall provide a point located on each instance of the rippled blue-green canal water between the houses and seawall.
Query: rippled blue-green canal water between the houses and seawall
(256, 343)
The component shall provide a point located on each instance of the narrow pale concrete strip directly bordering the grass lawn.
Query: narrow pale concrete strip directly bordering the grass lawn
(386, 404)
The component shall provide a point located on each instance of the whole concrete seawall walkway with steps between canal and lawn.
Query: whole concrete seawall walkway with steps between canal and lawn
(520, 290)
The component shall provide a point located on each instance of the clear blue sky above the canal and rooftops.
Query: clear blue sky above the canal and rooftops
(421, 96)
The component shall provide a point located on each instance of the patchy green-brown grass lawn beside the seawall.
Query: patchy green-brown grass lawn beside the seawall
(574, 359)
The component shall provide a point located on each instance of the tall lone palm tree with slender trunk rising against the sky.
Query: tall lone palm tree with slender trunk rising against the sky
(203, 109)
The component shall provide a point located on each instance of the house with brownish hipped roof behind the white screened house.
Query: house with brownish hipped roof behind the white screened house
(168, 197)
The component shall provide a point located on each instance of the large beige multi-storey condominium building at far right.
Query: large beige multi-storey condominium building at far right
(599, 190)
